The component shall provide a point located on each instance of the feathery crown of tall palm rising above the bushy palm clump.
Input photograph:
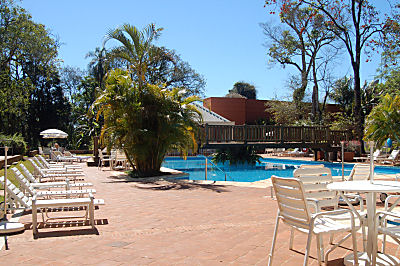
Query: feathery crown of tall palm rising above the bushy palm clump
(137, 49)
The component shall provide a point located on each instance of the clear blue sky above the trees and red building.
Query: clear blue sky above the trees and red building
(220, 39)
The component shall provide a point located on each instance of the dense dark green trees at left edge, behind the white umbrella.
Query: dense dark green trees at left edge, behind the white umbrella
(31, 94)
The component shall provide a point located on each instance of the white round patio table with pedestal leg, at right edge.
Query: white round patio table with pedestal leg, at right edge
(369, 189)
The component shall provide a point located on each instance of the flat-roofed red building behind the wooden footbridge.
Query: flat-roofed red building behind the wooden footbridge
(245, 111)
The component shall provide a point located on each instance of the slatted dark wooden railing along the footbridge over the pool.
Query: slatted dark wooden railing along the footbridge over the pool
(273, 134)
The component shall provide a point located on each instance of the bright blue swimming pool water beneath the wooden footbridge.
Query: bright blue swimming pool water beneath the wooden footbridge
(195, 167)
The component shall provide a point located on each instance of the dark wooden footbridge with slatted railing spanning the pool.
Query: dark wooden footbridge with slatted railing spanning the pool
(265, 136)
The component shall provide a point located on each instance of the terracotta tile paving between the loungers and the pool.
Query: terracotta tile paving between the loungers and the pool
(168, 223)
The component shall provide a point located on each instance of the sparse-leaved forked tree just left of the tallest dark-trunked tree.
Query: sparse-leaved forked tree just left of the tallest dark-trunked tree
(298, 44)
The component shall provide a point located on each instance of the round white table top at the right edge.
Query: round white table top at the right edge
(366, 186)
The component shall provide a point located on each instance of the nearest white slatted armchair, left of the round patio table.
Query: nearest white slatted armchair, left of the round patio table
(293, 210)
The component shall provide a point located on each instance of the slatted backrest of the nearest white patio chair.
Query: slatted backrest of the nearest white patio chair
(291, 201)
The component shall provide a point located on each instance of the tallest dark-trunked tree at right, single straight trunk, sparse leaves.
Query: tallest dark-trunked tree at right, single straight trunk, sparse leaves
(358, 24)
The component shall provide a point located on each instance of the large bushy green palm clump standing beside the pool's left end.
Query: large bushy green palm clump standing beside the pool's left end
(146, 121)
